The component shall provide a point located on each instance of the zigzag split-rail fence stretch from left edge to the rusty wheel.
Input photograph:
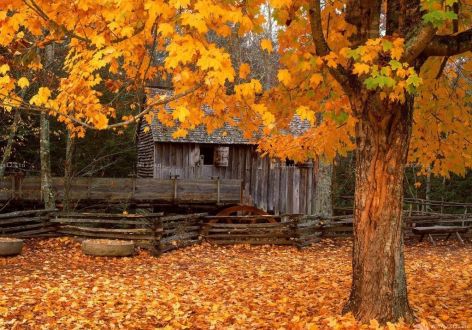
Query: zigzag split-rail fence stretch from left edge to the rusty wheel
(154, 231)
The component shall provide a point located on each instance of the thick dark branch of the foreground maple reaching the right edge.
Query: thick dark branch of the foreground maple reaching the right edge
(449, 45)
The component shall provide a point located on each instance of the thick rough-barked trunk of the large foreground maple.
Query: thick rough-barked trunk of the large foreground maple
(379, 288)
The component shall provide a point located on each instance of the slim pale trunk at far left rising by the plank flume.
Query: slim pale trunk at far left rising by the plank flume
(44, 150)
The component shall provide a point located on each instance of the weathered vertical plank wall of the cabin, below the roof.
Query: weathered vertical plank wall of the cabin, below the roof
(267, 184)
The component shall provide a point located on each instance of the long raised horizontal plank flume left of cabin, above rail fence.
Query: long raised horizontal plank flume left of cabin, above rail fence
(127, 189)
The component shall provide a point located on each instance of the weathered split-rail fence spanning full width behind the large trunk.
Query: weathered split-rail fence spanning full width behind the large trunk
(162, 233)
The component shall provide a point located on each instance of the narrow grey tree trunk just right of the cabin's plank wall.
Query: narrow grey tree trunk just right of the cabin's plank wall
(323, 189)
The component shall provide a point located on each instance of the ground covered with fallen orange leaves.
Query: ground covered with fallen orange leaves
(53, 286)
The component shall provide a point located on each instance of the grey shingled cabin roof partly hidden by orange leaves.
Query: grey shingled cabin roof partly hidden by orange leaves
(225, 135)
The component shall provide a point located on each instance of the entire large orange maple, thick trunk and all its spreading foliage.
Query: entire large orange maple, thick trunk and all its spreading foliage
(388, 79)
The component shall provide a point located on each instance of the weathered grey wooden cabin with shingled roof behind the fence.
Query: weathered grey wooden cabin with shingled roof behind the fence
(269, 184)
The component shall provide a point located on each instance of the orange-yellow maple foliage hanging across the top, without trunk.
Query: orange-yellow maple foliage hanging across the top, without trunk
(98, 37)
